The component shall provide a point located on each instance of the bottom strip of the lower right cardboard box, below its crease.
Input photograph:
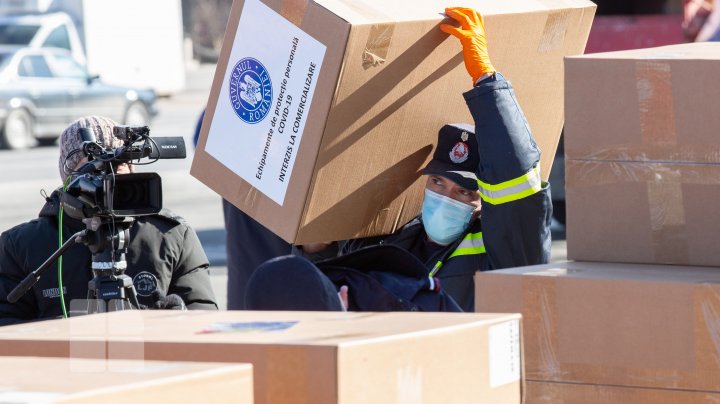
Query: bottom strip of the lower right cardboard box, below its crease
(563, 393)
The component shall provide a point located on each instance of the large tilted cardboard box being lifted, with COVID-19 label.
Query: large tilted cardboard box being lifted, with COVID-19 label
(354, 93)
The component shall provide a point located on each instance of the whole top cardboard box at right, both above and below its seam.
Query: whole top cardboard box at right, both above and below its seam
(642, 155)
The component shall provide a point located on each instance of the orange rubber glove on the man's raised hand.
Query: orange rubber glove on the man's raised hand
(472, 37)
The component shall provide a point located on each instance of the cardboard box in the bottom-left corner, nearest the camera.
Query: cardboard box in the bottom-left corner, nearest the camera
(66, 380)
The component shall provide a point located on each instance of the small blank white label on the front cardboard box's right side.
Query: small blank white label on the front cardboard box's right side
(504, 346)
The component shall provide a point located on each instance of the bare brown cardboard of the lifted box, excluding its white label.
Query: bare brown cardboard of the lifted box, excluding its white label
(388, 82)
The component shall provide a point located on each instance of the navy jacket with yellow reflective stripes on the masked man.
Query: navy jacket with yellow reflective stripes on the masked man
(514, 226)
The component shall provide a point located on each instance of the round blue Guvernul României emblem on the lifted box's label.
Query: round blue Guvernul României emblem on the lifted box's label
(250, 90)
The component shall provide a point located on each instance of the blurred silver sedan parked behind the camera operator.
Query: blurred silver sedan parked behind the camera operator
(42, 90)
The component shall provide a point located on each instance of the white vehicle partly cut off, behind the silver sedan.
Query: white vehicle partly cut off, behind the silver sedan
(46, 30)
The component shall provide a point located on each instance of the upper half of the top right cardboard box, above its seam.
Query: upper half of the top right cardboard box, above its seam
(644, 105)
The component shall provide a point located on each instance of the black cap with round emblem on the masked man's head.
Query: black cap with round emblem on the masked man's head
(456, 155)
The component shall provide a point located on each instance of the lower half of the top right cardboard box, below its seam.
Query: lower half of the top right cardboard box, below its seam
(643, 212)
